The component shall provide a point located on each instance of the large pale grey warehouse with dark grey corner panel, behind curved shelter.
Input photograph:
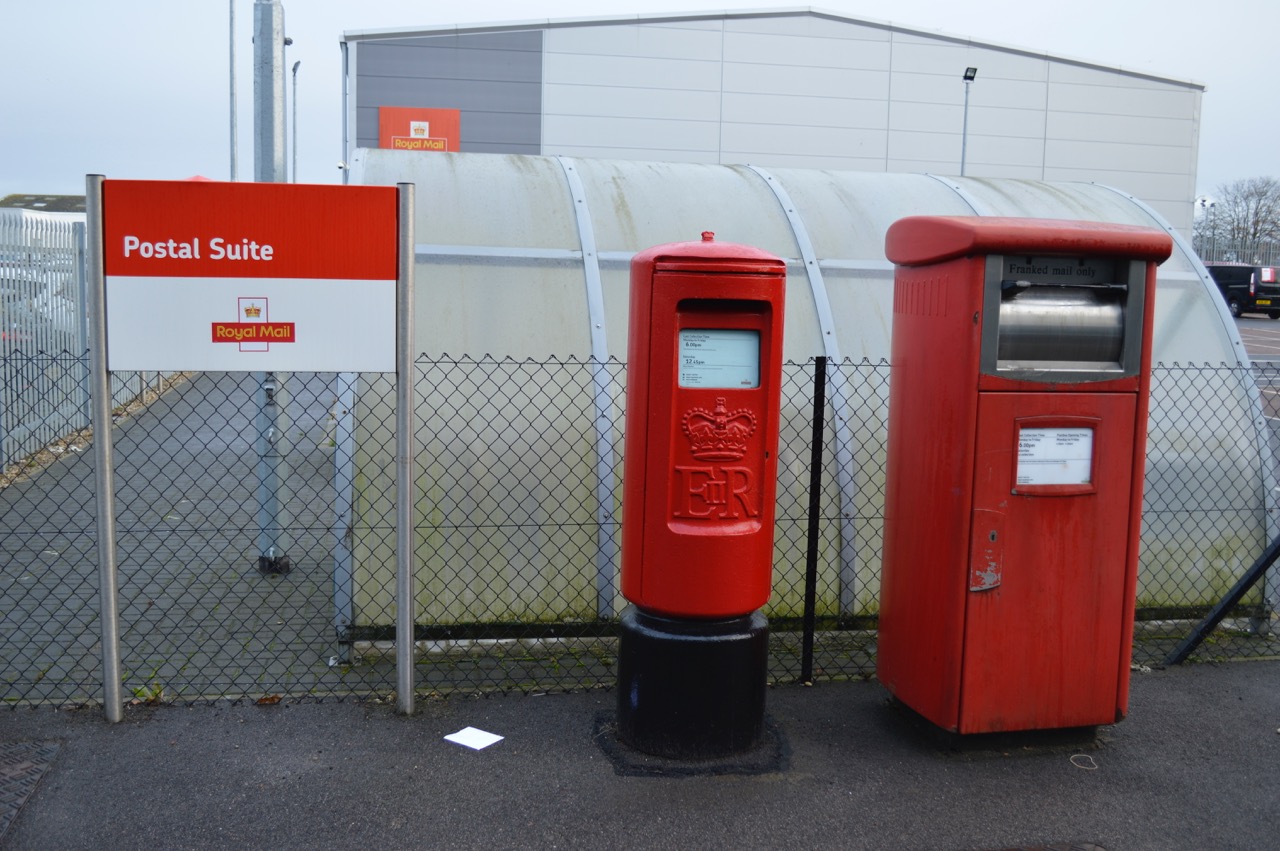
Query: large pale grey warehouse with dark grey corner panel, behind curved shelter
(790, 89)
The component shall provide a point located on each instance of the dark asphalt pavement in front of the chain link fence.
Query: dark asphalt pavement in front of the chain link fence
(1195, 766)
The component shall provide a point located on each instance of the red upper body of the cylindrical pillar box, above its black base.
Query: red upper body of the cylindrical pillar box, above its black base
(701, 465)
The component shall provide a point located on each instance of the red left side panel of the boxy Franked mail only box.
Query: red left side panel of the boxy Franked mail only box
(934, 405)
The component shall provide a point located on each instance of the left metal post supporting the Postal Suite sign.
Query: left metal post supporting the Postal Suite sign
(103, 456)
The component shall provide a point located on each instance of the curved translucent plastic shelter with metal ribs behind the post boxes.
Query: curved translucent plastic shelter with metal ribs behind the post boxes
(528, 258)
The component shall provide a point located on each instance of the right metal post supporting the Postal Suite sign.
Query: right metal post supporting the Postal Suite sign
(406, 608)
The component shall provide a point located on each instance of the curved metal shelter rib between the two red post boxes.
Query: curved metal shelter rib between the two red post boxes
(838, 397)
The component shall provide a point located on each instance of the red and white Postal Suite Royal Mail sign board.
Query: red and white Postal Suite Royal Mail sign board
(271, 277)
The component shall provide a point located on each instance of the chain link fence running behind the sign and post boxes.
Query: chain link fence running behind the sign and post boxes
(516, 550)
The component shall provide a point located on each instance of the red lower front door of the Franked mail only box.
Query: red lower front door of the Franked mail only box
(1041, 644)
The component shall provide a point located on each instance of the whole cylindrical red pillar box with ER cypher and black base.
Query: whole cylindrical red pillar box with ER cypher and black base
(700, 481)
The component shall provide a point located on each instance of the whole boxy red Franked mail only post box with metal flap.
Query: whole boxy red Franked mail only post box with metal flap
(1018, 420)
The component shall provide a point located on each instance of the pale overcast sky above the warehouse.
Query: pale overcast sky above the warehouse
(139, 89)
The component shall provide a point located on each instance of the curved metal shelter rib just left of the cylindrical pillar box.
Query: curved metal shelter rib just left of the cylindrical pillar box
(606, 479)
